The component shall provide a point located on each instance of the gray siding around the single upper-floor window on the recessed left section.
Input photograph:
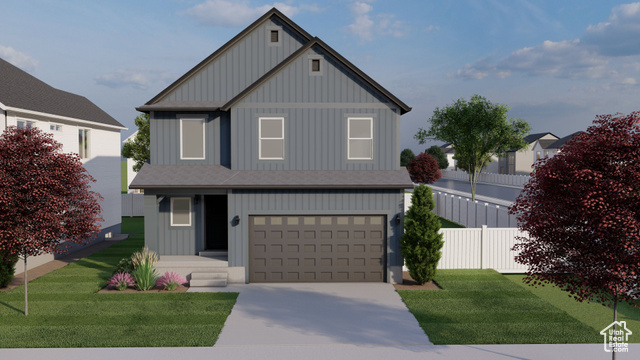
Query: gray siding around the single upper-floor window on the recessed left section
(165, 139)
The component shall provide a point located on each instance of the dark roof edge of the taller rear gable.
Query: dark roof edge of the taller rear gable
(273, 12)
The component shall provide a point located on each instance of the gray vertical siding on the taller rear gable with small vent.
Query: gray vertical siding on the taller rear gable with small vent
(239, 66)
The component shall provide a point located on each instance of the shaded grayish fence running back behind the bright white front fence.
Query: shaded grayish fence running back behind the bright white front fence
(464, 211)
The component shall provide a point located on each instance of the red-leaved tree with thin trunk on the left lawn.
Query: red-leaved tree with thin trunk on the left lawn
(45, 198)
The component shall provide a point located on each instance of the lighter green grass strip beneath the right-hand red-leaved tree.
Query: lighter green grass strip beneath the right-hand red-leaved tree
(593, 314)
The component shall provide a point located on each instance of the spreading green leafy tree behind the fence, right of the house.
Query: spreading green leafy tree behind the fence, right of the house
(477, 129)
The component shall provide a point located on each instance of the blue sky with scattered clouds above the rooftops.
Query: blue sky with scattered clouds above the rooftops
(556, 64)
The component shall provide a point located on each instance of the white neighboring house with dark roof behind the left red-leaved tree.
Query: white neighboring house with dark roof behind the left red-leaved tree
(74, 121)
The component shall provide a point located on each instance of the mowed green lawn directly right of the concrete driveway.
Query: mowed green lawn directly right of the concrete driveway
(484, 307)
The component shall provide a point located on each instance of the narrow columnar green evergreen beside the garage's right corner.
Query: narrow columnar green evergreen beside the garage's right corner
(422, 241)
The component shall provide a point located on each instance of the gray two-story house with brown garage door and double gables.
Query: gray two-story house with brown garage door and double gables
(282, 156)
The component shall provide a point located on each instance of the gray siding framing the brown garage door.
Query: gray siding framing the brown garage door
(244, 203)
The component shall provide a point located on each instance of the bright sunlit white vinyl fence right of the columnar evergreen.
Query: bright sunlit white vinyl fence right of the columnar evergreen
(482, 248)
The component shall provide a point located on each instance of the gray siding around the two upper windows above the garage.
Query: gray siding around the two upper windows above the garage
(315, 138)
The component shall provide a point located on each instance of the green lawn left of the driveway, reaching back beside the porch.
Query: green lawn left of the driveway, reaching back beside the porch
(65, 309)
